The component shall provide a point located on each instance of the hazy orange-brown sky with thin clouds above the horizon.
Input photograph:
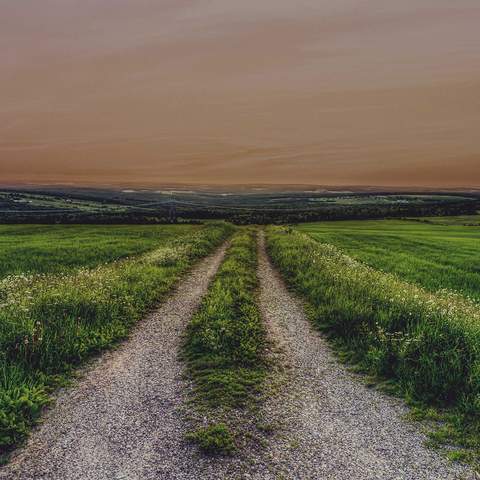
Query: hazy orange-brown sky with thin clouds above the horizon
(328, 92)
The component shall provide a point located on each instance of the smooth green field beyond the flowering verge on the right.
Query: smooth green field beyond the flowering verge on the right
(433, 256)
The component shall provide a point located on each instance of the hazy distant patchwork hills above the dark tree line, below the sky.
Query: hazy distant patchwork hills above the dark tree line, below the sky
(98, 201)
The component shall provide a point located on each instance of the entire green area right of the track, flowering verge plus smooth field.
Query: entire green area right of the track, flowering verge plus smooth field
(395, 327)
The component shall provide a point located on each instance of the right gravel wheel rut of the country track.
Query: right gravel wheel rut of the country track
(335, 427)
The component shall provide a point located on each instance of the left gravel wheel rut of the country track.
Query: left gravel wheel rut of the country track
(123, 420)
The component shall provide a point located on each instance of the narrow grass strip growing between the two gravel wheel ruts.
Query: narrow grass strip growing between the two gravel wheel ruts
(225, 341)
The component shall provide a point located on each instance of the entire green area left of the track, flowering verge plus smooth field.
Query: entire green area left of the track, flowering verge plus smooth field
(50, 323)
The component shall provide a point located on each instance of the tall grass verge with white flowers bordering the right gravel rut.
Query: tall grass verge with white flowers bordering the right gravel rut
(424, 345)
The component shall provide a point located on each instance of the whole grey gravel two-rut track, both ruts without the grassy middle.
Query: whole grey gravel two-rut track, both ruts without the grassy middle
(125, 419)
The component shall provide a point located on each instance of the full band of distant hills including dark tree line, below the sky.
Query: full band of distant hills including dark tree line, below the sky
(253, 205)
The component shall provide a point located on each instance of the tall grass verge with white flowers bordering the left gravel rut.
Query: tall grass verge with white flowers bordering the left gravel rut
(51, 323)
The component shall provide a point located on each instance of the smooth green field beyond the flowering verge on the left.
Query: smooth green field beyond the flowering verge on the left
(60, 248)
